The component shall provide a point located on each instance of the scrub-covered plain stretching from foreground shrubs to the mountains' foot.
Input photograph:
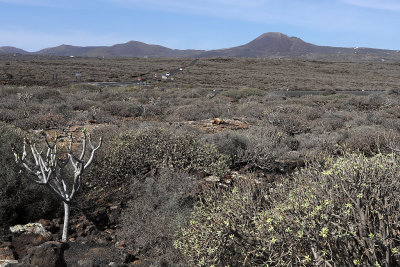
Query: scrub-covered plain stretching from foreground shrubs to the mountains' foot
(222, 166)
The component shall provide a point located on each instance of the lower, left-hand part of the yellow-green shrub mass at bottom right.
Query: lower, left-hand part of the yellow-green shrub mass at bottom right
(221, 231)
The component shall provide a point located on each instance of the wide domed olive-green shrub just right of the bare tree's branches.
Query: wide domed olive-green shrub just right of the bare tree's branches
(153, 148)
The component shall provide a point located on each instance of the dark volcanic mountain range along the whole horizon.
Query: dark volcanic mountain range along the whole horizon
(272, 44)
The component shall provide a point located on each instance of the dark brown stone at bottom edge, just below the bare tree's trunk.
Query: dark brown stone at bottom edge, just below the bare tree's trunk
(49, 254)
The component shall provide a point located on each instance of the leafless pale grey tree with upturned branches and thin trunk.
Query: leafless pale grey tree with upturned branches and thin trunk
(46, 169)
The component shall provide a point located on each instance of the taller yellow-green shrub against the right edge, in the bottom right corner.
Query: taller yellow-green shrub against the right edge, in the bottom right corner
(342, 212)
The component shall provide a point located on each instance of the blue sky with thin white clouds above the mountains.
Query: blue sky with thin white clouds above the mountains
(198, 24)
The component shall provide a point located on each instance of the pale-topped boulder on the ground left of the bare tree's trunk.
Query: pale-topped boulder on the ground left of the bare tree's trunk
(29, 235)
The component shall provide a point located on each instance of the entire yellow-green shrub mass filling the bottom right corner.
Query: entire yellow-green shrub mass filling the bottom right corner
(342, 212)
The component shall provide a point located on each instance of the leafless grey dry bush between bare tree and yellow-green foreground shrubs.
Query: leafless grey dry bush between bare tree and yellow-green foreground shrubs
(158, 204)
